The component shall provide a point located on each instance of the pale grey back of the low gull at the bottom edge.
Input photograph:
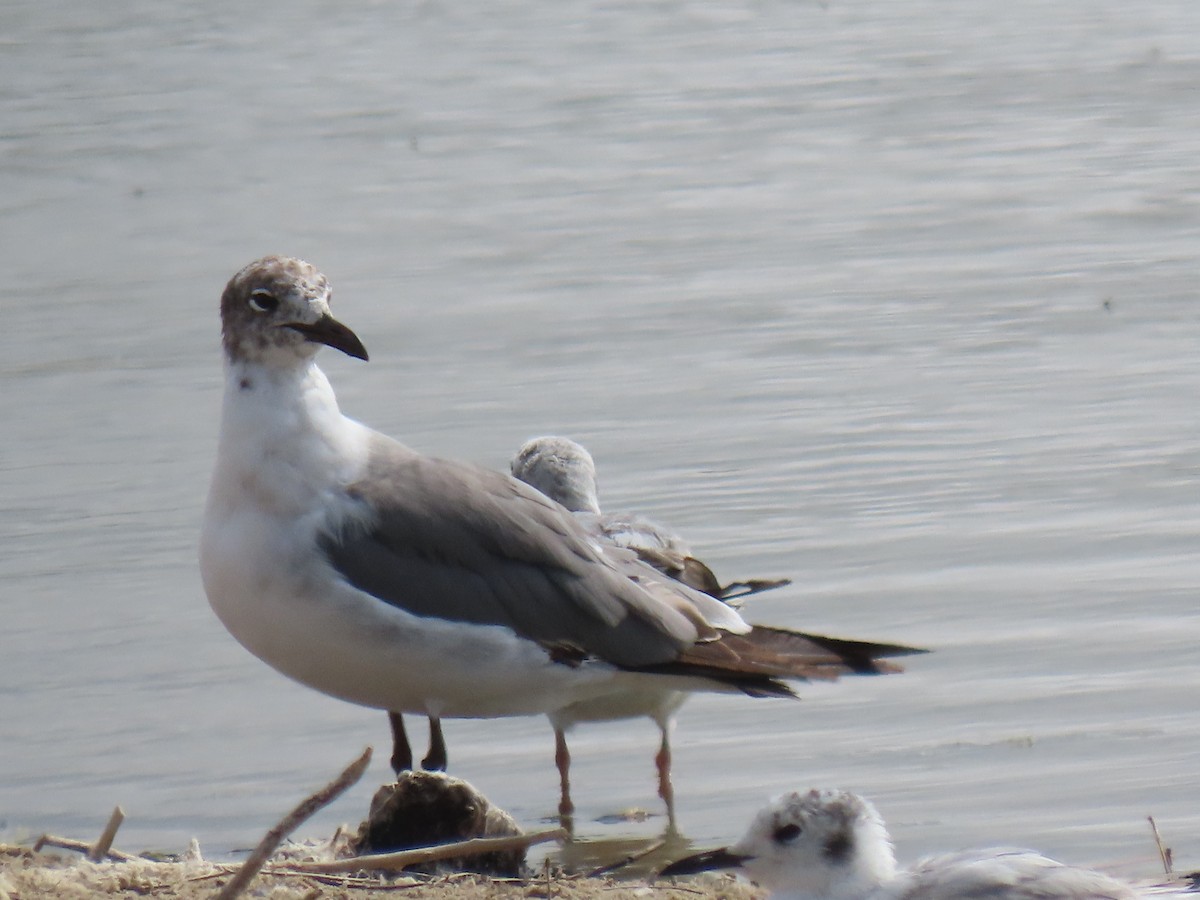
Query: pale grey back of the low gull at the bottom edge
(1006, 875)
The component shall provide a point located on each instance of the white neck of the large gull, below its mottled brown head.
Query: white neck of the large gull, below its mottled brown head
(284, 441)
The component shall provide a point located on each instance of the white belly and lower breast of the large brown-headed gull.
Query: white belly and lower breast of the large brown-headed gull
(299, 619)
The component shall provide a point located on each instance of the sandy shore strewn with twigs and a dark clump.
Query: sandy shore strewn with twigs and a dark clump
(446, 815)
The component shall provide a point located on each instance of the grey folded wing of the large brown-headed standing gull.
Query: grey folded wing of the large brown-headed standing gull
(460, 543)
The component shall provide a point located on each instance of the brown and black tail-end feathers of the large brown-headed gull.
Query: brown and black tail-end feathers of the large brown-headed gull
(757, 662)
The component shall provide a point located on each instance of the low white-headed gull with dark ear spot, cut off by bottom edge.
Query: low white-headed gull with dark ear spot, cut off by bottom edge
(833, 845)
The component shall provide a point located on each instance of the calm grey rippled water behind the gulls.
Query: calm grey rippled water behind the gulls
(896, 299)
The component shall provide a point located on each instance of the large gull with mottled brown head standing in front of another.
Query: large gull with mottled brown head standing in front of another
(368, 572)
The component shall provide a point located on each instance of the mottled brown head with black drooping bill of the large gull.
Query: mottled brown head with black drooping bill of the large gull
(277, 313)
